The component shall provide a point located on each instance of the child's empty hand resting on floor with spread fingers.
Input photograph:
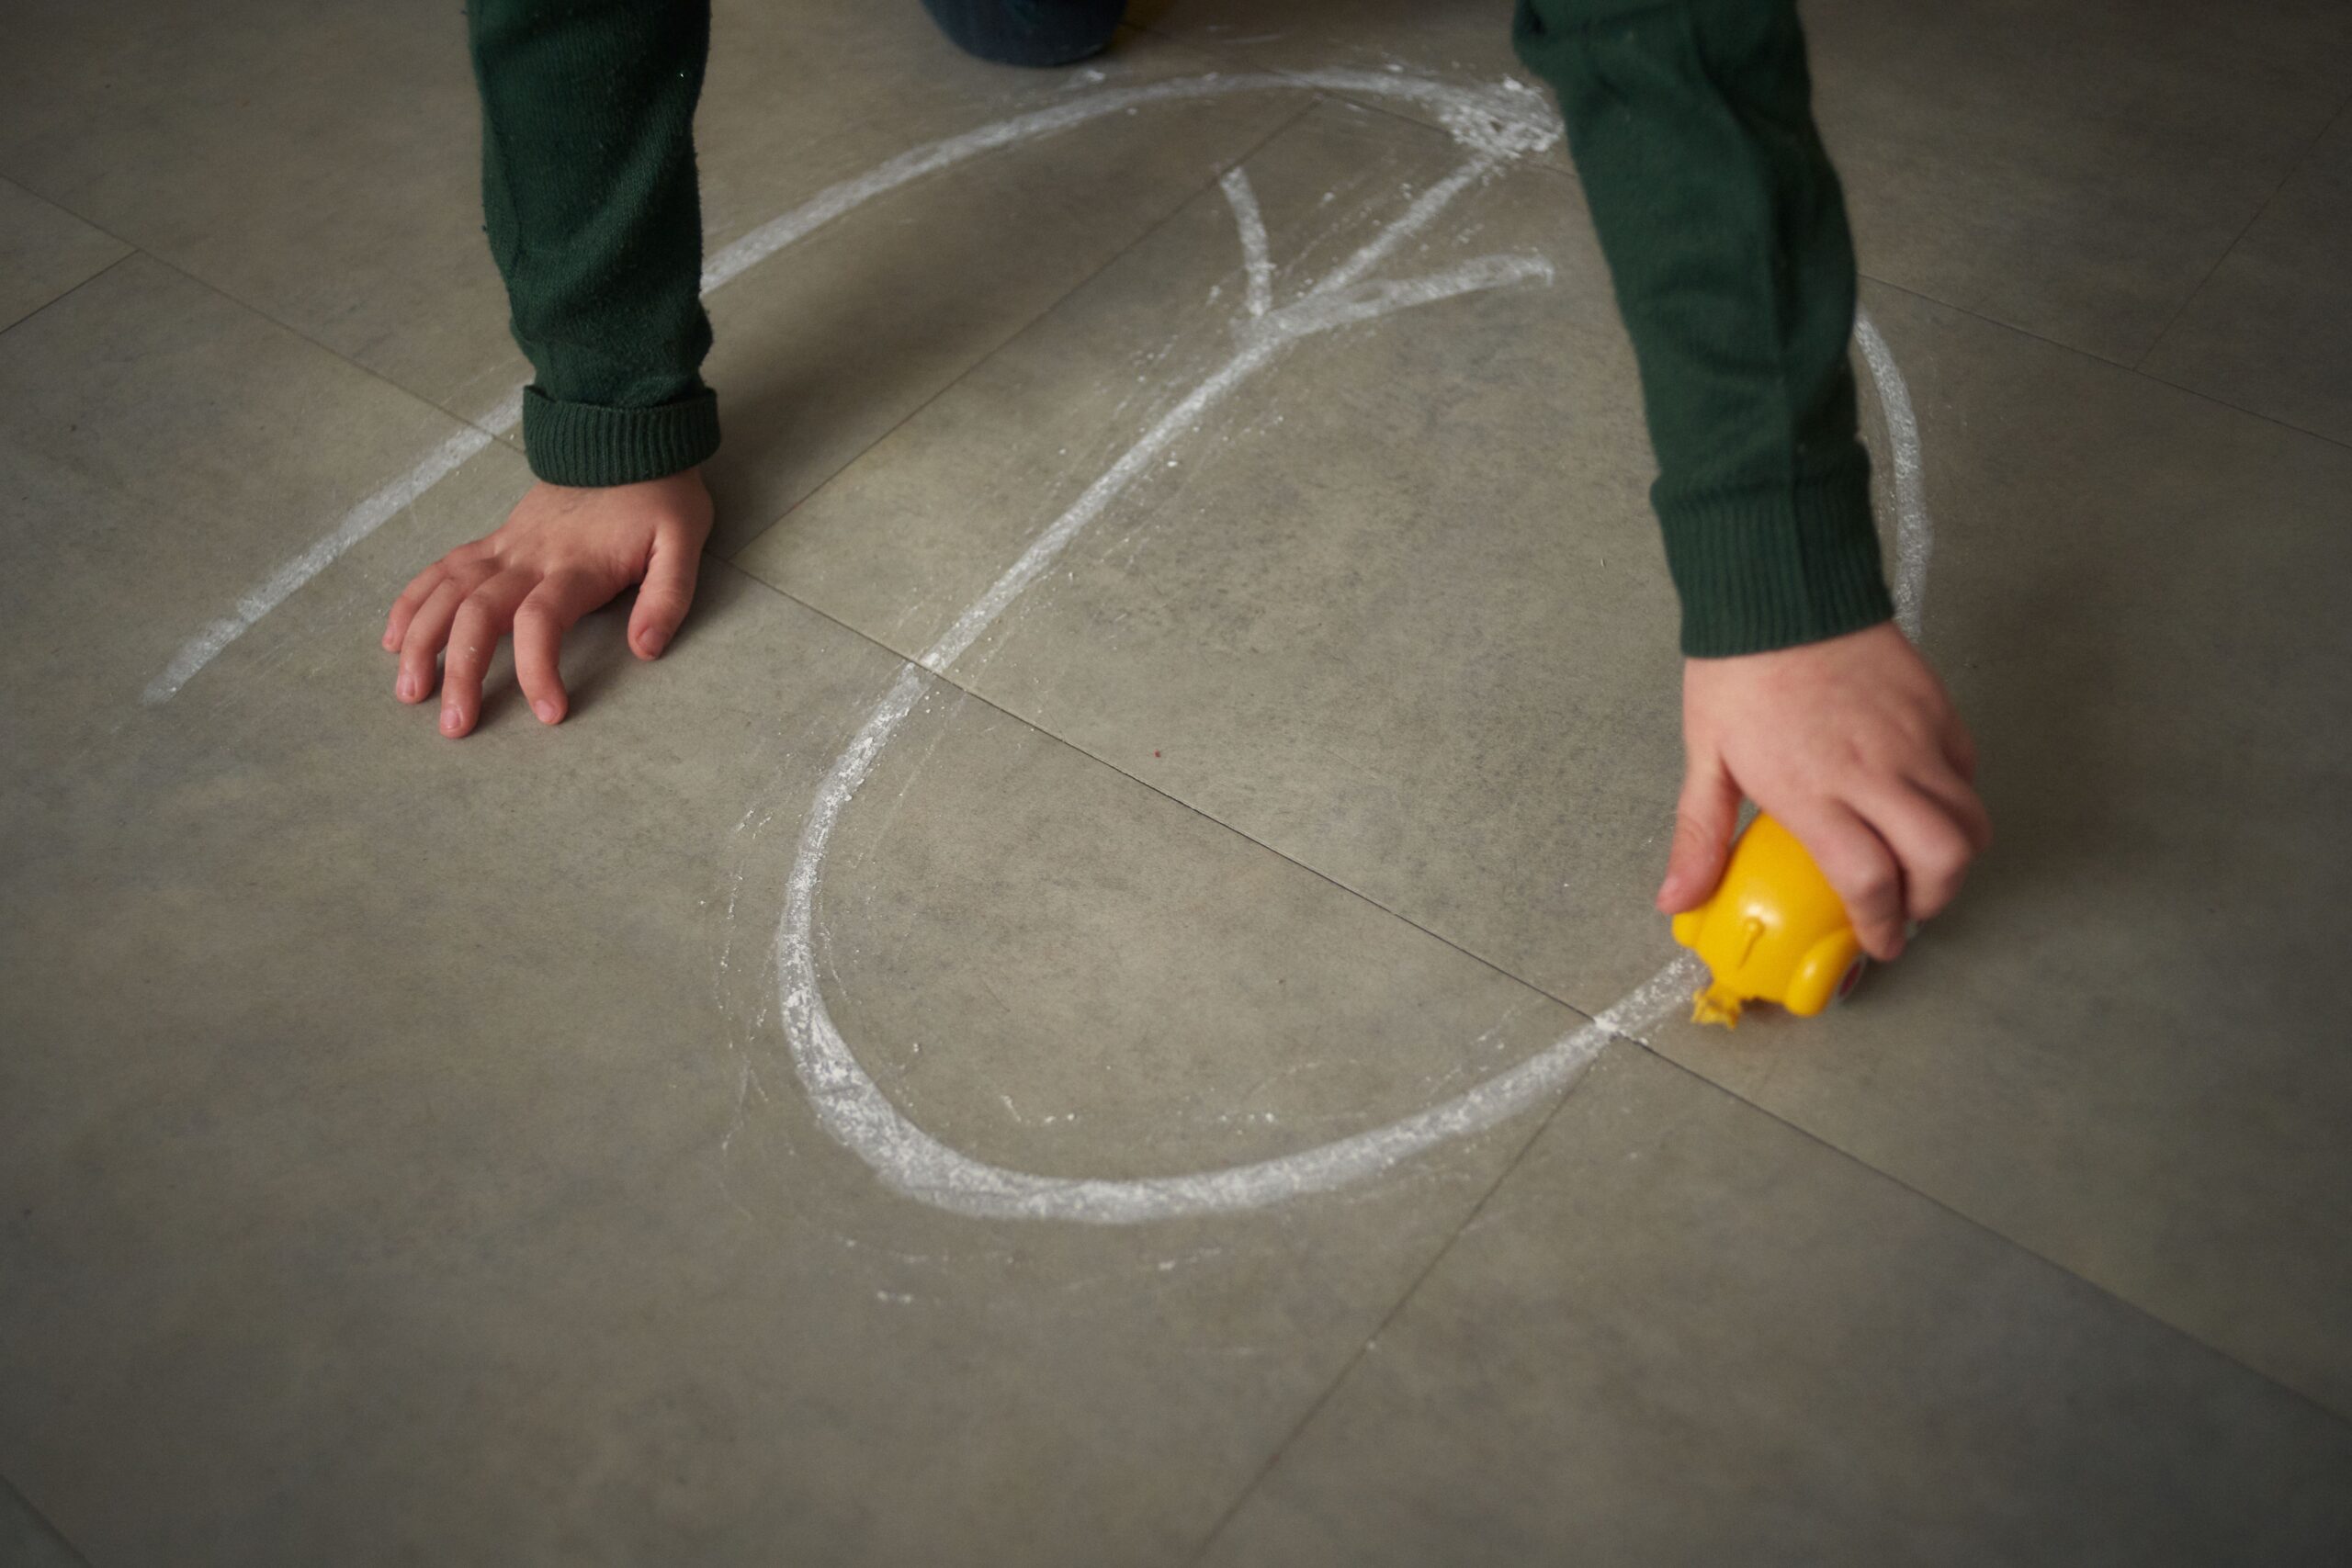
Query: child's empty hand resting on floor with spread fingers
(559, 556)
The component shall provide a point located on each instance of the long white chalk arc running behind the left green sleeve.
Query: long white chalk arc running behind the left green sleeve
(1481, 116)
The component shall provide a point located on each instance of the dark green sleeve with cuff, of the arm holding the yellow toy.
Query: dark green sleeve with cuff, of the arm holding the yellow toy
(1728, 241)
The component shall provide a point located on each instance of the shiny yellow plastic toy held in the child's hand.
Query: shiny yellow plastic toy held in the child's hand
(1775, 930)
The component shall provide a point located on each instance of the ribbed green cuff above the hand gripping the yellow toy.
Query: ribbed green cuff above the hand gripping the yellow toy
(1775, 568)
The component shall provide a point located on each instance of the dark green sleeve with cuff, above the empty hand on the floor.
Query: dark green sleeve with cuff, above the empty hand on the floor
(596, 225)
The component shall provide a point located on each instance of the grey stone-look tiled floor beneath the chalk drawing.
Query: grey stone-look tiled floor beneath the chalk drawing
(401, 1144)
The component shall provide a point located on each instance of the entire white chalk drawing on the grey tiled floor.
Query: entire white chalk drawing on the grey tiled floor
(1497, 128)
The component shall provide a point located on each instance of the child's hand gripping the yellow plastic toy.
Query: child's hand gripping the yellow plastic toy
(1852, 744)
